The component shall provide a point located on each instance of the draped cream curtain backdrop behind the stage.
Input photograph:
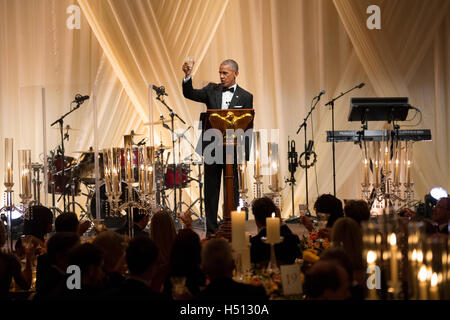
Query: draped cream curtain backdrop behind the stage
(288, 51)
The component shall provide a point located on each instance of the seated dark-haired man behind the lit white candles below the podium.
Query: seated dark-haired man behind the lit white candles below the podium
(287, 251)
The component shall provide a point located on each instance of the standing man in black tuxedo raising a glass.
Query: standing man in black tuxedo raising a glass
(226, 95)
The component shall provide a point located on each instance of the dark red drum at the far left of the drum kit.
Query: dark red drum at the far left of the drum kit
(55, 176)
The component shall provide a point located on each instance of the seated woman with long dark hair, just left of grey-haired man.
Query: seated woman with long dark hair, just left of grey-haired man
(185, 262)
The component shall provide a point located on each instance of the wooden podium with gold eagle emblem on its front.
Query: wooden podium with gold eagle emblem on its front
(226, 120)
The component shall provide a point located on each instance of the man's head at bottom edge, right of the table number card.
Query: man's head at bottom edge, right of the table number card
(327, 280)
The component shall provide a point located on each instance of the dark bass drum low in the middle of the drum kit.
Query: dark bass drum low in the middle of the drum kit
(113, 223)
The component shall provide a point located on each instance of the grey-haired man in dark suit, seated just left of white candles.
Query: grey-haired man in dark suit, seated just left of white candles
(218, 265)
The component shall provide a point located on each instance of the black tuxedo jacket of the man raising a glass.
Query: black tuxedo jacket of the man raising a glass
(211, 96)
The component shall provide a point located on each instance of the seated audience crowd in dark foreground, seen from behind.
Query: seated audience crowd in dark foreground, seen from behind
(161, 263)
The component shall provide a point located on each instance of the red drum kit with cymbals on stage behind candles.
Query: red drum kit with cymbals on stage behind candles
(66, 176)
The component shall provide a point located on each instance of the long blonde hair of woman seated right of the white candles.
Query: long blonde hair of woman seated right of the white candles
(346, 232)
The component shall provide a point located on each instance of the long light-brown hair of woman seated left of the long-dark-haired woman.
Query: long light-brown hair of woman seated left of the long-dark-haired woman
(163, 233)
